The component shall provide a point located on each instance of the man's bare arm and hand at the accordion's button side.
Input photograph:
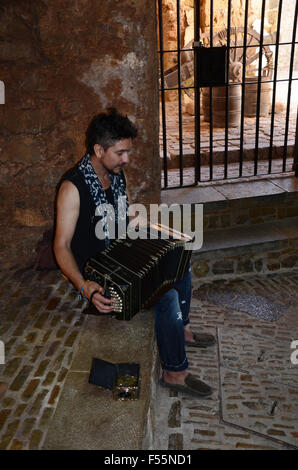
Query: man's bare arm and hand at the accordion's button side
(68, 208)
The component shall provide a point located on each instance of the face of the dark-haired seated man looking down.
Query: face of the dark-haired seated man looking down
(117, 156)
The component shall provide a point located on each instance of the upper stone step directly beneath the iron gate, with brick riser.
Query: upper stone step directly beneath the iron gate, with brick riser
(245, 203)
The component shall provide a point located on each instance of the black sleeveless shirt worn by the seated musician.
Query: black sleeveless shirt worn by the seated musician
(84, 243)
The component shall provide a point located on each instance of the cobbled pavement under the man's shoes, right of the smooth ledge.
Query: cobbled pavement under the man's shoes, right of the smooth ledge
(255, 400)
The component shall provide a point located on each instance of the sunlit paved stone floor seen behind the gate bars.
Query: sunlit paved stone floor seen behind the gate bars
(218, 147)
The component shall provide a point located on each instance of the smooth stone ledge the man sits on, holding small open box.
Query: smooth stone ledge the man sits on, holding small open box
(92, 418)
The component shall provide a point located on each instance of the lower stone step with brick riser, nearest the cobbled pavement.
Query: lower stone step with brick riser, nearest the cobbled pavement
(245, 251)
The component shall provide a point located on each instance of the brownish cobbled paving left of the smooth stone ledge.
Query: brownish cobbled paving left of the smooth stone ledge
(39, 341)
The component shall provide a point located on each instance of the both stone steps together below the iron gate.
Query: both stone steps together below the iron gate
(249, 227)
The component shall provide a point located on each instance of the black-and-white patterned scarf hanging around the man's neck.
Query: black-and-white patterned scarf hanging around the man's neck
(108, 218)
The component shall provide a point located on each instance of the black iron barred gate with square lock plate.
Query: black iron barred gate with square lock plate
(232, 80)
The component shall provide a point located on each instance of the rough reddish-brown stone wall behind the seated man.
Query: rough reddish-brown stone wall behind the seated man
(62, 62)
